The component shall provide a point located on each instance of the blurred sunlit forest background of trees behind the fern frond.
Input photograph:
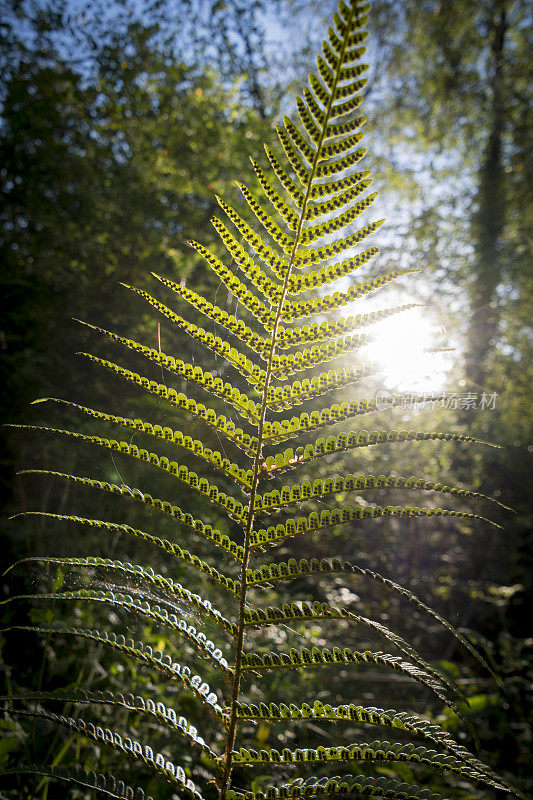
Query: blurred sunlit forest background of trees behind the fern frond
(119, 122)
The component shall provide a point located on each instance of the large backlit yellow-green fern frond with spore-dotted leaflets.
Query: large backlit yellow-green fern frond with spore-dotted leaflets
(298, 234)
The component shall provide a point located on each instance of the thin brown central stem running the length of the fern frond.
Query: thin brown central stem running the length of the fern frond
(239, 642)
